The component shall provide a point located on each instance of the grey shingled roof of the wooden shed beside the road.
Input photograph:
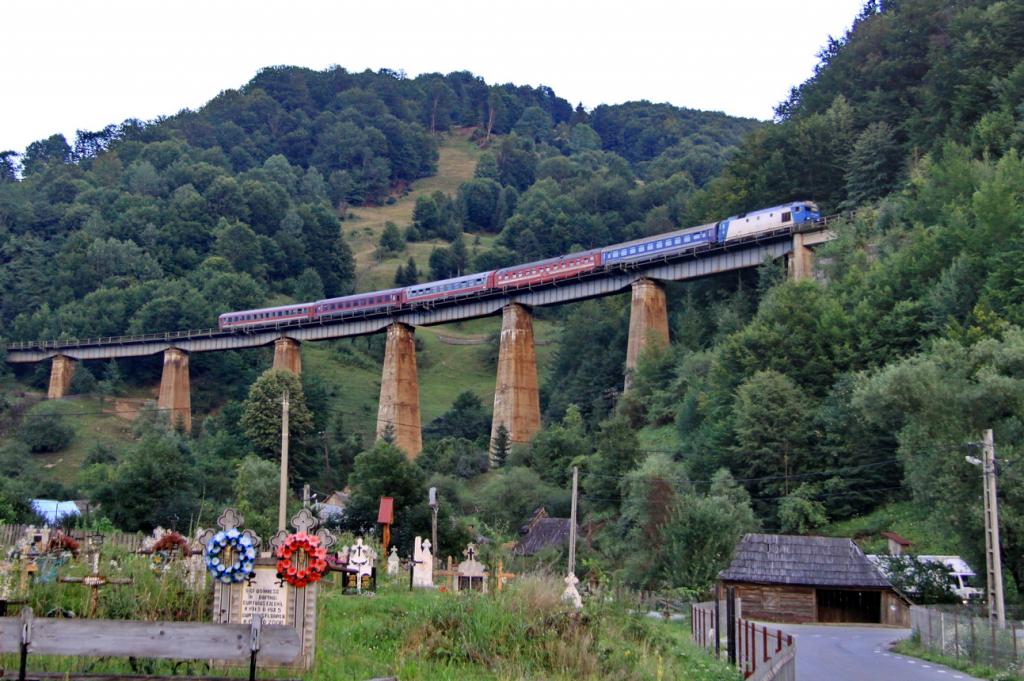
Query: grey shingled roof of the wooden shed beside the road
(820, 562)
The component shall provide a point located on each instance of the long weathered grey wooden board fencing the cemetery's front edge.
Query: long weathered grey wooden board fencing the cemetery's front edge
(173, 641)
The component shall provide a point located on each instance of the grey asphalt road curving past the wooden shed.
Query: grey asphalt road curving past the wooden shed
(861, 654)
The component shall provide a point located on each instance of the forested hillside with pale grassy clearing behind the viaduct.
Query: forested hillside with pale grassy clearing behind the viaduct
(300, 185)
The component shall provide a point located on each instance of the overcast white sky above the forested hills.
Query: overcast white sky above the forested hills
(83, 64)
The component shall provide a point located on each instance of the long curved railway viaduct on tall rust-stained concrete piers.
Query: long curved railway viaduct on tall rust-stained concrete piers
(517, 393)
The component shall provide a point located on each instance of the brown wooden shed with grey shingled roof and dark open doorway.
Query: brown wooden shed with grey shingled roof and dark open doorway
(800, 580)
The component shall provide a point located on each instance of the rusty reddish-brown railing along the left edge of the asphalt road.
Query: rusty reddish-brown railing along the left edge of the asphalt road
(760, 653)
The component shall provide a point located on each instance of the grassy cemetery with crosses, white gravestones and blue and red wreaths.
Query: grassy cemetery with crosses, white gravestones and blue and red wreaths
(225, 603)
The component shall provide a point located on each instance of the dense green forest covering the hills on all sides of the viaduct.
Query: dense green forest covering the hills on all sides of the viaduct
(783, 406)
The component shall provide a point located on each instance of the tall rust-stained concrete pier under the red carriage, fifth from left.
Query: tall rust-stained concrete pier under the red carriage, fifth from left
(518, 400)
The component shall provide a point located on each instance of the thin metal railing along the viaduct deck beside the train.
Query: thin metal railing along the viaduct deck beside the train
(819, 226)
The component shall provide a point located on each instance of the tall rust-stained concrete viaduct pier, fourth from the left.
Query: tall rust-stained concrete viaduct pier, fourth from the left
(400, 404)
